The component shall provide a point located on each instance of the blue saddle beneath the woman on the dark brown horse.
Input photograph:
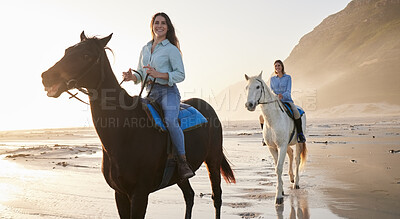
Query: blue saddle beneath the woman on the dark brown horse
(189, 118)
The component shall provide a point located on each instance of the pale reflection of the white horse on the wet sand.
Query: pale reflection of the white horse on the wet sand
(298, 206)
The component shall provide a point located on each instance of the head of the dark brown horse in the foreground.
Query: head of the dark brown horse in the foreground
(80, 61)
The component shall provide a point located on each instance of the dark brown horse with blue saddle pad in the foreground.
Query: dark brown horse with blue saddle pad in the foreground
(134, 153)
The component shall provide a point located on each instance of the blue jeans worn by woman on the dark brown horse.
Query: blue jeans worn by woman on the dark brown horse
(169, 98)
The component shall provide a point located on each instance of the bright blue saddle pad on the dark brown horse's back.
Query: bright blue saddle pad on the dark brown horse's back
(189, 117)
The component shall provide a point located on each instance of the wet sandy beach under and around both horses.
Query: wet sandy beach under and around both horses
(353, 171)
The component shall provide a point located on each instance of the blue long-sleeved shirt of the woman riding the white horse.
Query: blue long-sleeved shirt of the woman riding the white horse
(282, 86)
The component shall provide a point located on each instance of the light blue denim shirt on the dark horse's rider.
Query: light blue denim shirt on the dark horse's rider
(166, 58)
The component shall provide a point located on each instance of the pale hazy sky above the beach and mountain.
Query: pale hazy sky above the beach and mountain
(220, 41)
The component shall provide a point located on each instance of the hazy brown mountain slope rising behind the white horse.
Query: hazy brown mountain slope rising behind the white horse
(353, 56)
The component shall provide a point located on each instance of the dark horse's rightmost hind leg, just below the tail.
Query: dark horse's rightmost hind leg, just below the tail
(214, 174)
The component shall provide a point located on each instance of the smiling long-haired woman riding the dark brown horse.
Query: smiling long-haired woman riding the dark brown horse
(161, 60)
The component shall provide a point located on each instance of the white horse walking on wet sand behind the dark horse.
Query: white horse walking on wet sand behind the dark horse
(278, 130)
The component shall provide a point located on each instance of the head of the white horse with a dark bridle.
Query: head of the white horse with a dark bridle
(257, 92)
